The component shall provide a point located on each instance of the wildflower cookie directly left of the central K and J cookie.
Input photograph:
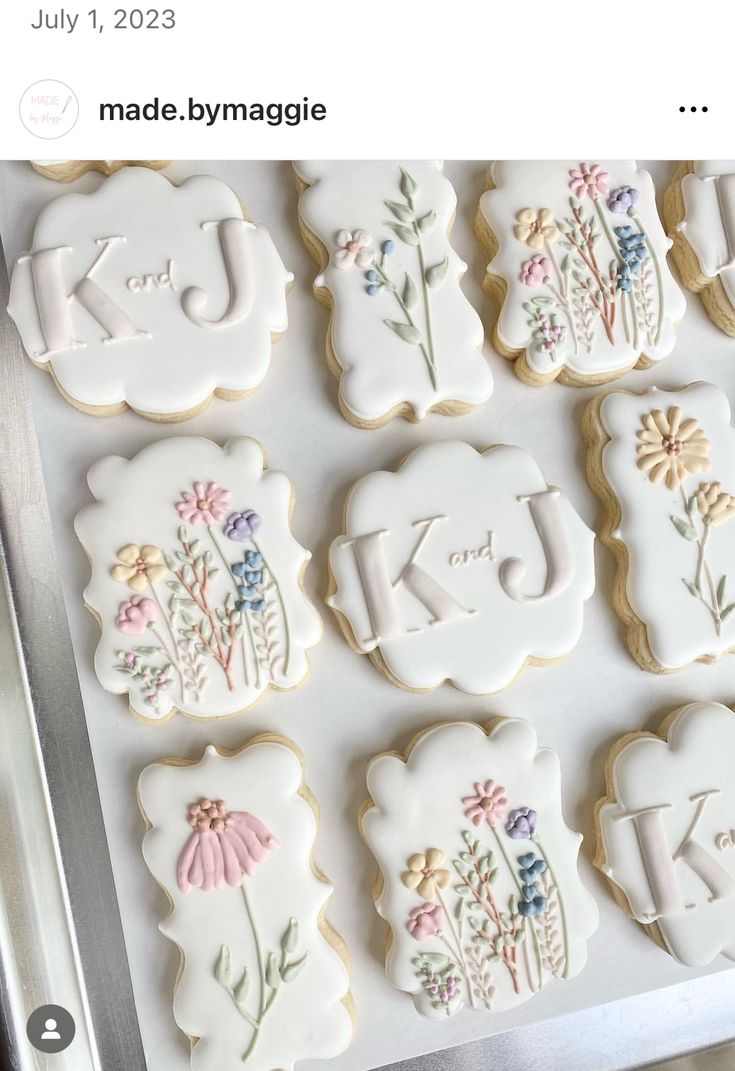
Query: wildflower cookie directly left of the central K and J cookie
(197, 579)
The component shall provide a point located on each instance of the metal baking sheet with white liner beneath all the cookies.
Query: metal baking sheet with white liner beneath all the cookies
(633, 1004)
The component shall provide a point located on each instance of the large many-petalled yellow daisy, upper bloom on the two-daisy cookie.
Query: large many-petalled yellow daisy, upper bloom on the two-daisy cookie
(671, 448)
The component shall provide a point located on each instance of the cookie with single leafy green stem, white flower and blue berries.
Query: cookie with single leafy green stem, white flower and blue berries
(403, 340)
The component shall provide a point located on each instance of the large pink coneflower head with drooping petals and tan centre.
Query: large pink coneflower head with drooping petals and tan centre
(224, 846)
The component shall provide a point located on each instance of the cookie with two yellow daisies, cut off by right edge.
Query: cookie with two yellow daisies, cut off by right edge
(664, 466)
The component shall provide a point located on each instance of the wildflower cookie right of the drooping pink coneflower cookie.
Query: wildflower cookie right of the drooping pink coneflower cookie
(478, 878)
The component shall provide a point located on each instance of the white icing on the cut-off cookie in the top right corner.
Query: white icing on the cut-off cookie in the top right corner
(709, 223)
